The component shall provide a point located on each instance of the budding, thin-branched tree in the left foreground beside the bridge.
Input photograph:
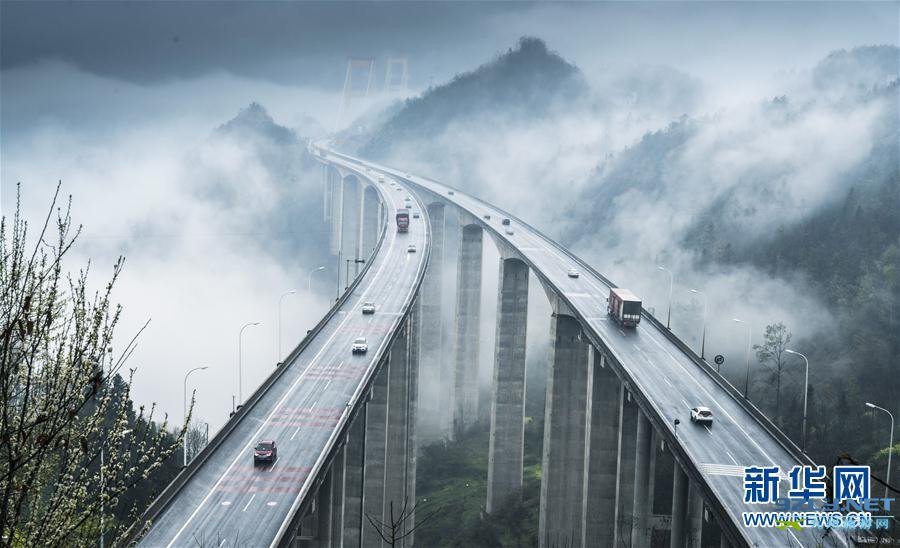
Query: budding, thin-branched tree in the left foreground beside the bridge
(64, 406)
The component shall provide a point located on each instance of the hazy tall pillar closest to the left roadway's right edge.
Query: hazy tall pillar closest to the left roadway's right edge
(435, 404)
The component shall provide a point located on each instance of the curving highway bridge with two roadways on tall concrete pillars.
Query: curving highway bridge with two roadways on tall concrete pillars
(348, 426)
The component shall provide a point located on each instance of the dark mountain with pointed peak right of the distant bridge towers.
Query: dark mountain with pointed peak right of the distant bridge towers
(528, 81)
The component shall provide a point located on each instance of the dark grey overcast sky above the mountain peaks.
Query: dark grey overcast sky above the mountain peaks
(308, 43)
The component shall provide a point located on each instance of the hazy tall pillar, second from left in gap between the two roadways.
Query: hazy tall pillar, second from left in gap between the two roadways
(468, 318)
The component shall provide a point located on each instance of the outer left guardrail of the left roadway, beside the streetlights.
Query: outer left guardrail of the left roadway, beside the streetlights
(138, 528)
